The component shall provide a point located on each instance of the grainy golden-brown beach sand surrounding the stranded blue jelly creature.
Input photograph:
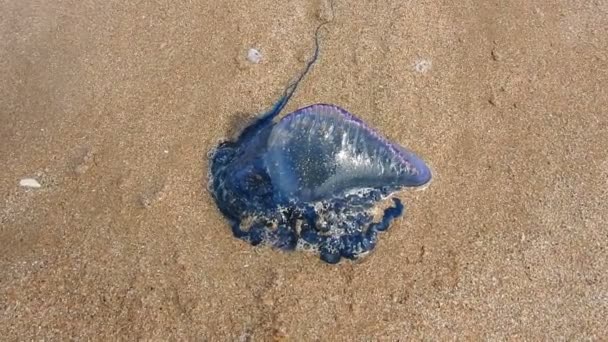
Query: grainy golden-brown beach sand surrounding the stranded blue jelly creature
(113, 105)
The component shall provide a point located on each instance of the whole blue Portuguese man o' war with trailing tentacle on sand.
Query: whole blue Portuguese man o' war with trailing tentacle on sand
(313, 181)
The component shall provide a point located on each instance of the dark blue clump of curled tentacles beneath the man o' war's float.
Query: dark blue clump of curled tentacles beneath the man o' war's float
(342, 226)
